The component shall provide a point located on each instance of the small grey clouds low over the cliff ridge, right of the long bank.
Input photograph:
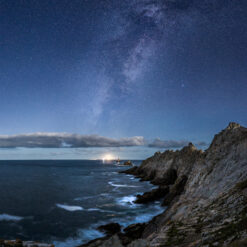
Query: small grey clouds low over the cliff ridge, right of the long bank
(158, 143)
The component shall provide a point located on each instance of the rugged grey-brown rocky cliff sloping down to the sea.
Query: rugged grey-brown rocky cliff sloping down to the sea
(205, 194)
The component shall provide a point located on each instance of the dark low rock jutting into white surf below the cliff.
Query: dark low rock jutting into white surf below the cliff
(152, 195)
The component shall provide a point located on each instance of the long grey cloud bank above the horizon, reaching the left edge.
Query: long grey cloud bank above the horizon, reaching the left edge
(56, 140)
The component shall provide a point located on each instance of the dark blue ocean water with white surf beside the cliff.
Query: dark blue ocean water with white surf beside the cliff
(64, 201)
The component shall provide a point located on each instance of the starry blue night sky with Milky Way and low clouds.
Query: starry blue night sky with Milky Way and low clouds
(119, 77)
